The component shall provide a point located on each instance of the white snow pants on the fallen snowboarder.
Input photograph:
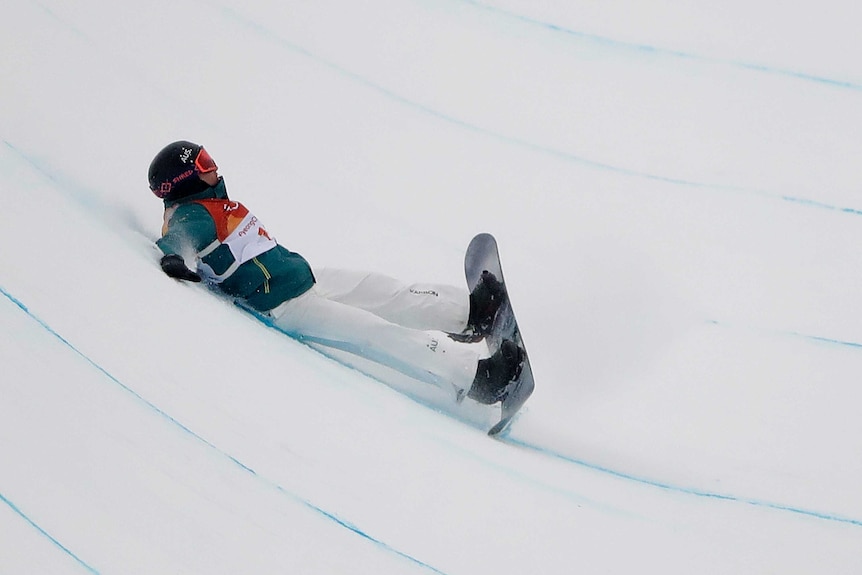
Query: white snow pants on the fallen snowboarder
(388, 322)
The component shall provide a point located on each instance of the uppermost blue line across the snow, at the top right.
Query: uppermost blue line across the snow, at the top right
(650, 49)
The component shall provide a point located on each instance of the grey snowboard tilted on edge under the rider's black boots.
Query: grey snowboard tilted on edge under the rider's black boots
(482, 254)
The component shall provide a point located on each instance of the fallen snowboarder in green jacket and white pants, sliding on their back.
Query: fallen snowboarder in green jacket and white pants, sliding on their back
(379, 318)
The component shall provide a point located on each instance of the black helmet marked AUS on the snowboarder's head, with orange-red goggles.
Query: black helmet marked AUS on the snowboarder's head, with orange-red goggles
(173, 172)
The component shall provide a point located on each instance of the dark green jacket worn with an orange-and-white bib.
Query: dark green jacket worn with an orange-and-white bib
(262, 282)
